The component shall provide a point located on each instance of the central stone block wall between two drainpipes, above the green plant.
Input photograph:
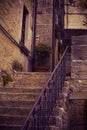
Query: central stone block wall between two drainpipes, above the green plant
(44, 22)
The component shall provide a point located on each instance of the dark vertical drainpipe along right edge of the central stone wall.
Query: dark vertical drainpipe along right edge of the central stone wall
(53, 36)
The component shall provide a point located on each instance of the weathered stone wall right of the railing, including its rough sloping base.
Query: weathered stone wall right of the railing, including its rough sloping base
(70, 115)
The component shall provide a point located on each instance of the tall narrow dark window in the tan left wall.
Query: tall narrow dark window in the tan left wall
(25, 13)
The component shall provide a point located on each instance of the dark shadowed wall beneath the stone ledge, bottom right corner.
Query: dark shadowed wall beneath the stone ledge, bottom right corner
(76, 115)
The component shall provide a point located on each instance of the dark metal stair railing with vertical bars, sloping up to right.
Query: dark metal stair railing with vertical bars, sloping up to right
(43, 107)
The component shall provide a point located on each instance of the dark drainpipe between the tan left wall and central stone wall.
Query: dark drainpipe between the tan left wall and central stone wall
(34, 34)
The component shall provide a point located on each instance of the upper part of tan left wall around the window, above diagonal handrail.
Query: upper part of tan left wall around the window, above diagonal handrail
(11, 18)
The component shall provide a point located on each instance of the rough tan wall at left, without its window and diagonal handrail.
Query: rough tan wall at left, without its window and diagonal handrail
(11, 13)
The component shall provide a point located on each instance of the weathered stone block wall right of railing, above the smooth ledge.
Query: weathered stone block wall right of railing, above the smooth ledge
(79, 63)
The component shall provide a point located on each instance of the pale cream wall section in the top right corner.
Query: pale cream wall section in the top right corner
(74, 17)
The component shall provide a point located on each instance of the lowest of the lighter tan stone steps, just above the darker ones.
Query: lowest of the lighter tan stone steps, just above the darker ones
(16, 96)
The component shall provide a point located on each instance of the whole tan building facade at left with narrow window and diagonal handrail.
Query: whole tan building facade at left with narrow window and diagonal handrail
(16, 34)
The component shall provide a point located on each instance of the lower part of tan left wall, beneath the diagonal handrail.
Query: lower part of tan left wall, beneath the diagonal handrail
(9, 53)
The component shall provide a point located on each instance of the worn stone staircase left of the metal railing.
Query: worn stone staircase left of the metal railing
(18, 98)
